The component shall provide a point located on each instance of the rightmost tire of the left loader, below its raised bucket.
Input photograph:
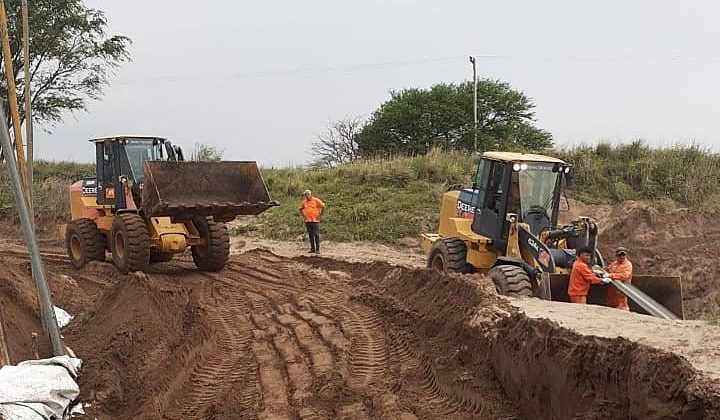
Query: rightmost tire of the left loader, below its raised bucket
(215, 253)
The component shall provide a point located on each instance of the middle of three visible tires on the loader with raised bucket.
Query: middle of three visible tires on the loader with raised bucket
(130, 243)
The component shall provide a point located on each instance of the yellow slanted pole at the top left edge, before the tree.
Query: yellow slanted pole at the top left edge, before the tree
(12, 98)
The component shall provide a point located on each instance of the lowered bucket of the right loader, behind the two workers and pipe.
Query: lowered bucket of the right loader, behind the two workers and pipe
(665, 291)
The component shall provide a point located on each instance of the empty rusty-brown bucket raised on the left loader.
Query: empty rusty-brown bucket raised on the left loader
(221, 189)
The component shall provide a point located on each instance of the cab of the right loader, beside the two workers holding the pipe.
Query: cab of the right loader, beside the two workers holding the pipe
(518, 185)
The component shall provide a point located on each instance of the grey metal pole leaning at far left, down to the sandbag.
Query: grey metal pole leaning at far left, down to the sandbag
(47, 311)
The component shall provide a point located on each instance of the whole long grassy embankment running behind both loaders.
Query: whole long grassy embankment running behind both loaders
(387, 200)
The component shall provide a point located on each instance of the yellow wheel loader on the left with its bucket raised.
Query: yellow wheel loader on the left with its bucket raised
(146, 204)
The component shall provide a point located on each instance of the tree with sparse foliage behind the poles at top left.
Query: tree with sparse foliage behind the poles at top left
(71, 56)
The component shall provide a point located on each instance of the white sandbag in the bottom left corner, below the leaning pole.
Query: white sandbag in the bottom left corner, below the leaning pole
(38, 389)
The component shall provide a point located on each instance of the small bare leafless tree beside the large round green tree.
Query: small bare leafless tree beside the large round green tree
(338, 145)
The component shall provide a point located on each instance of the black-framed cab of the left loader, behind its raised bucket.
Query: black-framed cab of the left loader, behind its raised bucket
(121, 160)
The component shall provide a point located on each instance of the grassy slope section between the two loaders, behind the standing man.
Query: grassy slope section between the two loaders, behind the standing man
(374, 200)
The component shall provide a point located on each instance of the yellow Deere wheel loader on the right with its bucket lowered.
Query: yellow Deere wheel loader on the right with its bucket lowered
(506, 226)
